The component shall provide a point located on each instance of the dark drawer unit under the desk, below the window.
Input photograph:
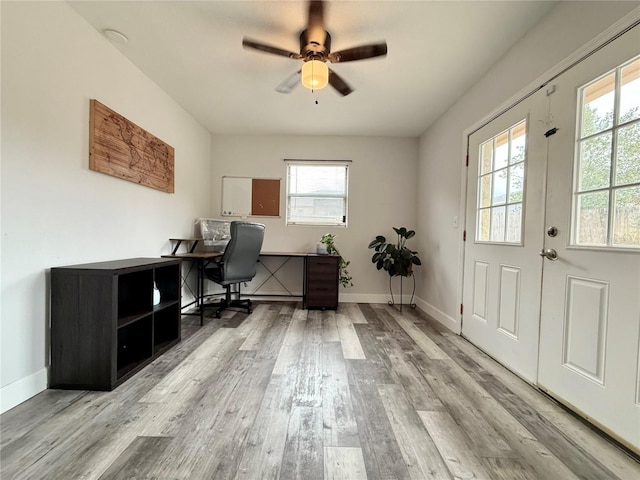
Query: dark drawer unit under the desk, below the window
(321, 281)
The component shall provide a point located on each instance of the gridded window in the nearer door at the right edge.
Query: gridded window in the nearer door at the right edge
(606, 184)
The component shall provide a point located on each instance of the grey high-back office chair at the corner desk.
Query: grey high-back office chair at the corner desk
(237, 264)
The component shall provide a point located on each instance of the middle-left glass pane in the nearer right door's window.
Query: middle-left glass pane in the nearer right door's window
(595, 163)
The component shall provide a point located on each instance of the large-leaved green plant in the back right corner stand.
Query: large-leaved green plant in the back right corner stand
(395, 258)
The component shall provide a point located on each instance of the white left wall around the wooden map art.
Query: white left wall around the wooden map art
(55, 211)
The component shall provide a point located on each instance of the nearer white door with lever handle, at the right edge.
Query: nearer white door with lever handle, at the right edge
(590, 312)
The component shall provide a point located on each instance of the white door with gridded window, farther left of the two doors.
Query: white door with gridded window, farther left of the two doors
(504, 223)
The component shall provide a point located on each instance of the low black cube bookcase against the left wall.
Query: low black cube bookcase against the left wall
(104, 325)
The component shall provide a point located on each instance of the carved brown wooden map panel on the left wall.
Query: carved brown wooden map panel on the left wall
(122, 149)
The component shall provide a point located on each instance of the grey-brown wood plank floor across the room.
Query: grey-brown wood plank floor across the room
(364, 392)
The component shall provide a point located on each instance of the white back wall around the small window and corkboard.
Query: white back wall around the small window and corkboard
(382, 193)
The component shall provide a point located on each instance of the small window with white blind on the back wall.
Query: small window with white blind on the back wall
(317, 192)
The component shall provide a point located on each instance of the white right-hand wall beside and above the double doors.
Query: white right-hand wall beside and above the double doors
(565, 30)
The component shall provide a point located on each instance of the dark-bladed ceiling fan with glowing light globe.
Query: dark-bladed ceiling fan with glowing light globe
(315, 51)
